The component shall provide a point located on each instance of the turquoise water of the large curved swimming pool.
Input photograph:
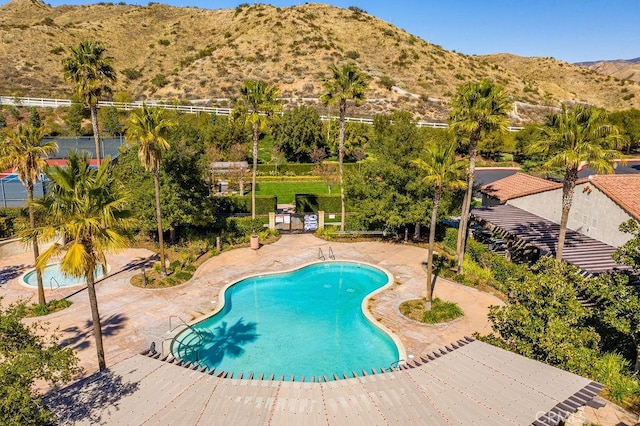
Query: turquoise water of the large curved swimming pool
(305, 323)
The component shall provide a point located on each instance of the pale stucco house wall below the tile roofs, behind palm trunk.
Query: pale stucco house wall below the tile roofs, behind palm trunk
(592, 212)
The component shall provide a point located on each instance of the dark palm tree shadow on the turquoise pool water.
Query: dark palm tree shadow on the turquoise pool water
(222, 341)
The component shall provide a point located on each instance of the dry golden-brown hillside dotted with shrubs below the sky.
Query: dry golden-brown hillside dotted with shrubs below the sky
(165, 52)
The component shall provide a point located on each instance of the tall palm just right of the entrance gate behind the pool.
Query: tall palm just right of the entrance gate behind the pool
(344, 84)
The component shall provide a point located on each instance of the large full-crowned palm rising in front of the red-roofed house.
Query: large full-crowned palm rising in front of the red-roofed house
(574, 138)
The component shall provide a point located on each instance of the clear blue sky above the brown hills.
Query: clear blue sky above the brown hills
(569, 30)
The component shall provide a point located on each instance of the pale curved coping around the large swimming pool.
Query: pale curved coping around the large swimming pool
(402, 353)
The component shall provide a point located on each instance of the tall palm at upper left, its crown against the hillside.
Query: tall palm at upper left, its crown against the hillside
(90, 71)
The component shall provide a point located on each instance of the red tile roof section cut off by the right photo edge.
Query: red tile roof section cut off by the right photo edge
(623, 189)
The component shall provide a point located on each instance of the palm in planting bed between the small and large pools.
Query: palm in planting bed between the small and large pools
(149, 129)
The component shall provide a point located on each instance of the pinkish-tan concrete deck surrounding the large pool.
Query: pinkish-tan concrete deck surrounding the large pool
(133, 317)
